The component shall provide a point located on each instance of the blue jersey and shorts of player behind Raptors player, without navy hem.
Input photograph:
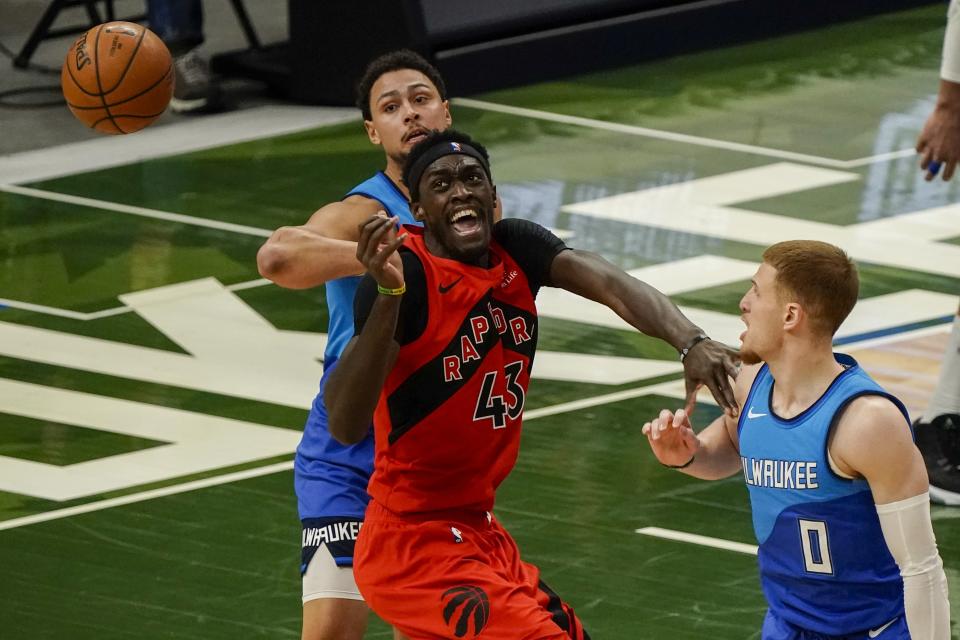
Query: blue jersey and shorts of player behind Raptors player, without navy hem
(330, 478)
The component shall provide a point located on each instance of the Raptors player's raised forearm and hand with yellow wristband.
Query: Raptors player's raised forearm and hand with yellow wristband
(354, 387)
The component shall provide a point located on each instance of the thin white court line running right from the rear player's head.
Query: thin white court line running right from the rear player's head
(672, 136)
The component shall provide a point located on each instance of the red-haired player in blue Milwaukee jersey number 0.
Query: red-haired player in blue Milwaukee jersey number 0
(839, 492)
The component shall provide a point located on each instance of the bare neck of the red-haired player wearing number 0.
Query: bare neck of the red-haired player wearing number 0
(802, 373)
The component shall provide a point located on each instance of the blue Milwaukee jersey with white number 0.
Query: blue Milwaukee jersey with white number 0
(824, 565)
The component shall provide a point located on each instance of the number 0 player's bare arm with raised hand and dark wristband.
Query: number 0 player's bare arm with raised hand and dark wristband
(712, 454)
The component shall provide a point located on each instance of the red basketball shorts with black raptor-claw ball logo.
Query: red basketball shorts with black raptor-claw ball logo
(455, 575)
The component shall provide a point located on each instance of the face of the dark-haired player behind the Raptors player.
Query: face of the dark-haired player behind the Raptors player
(404, 107)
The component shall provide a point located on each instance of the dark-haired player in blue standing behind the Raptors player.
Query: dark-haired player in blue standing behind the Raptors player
(402, 98)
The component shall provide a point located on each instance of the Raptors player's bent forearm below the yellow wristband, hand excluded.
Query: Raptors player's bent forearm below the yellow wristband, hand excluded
(354, 387)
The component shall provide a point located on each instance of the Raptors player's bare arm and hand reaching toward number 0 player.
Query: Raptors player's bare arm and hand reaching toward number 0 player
(706, 362)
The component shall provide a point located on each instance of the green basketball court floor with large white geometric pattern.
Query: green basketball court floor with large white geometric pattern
(152, 387)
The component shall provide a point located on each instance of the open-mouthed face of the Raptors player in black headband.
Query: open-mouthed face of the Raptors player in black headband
(456, 206)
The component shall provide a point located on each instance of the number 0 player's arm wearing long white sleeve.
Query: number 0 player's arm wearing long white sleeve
(872, 440)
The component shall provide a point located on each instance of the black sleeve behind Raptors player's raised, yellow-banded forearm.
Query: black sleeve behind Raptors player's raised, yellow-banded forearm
(413, 308)
